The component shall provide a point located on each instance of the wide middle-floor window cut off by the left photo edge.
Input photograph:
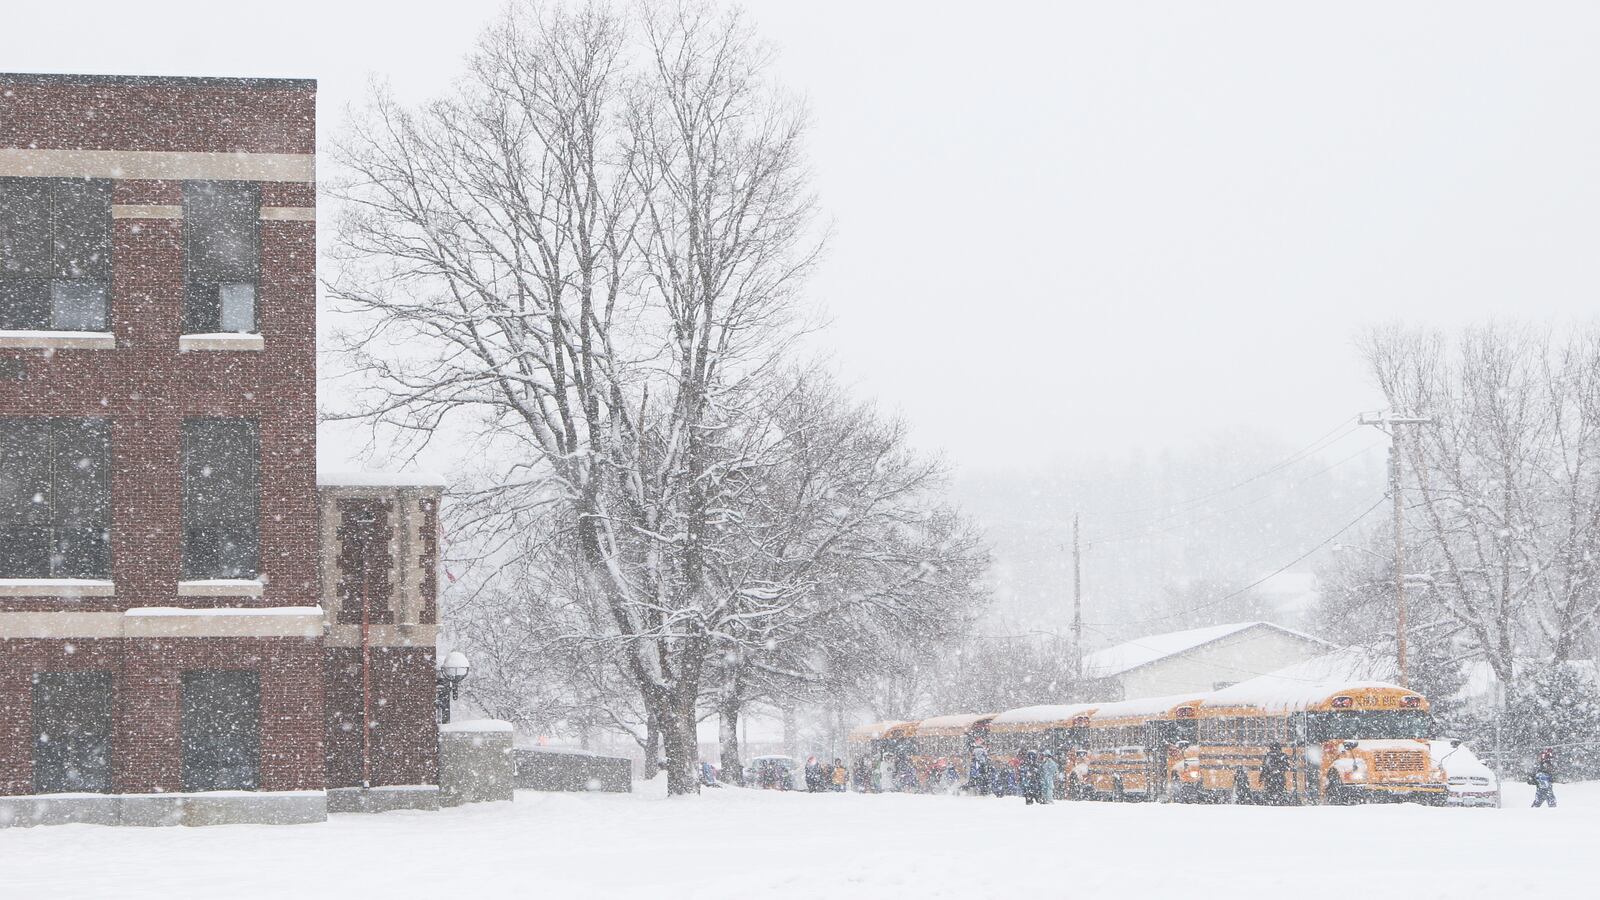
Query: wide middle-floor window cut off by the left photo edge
(55, 499)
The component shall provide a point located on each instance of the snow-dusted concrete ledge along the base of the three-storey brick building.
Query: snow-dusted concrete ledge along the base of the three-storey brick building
(220, 808)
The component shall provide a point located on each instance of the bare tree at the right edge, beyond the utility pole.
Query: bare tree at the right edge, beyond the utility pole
(1506, 505)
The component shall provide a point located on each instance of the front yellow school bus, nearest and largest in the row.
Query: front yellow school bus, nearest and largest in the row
(1345, 742)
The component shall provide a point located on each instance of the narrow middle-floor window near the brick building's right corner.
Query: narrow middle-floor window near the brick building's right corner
(222, 499)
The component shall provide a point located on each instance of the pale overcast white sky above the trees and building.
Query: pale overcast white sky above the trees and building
(1098, 227)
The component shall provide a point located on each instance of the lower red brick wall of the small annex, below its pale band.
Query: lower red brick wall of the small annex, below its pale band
(406, 741)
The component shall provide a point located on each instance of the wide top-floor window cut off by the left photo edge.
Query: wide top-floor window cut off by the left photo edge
(55, 255)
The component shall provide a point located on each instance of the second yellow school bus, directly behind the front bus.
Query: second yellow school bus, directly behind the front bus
(1134, 749)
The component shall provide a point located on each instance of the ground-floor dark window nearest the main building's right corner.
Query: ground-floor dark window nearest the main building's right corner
(222, 731)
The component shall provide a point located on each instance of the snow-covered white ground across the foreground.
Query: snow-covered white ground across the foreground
(738, 843)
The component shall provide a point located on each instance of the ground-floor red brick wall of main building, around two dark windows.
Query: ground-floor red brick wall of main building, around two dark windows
(146, 750)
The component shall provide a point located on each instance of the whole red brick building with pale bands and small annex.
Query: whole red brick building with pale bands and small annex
(166, 560)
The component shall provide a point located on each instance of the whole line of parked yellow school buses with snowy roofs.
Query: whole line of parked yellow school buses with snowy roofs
(1263, 741)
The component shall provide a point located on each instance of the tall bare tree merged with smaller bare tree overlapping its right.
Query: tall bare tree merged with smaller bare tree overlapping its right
(591, 251)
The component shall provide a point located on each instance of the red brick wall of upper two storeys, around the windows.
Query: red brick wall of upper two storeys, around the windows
(146, 387)
